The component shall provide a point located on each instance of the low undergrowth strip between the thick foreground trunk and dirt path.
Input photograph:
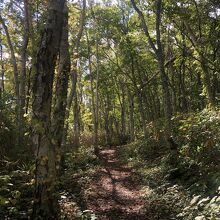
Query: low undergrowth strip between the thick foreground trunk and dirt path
(80, 166)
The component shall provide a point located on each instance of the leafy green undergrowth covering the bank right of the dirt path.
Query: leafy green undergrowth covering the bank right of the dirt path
(170, 190)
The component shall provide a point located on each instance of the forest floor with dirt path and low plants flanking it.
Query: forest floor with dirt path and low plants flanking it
(116, 186)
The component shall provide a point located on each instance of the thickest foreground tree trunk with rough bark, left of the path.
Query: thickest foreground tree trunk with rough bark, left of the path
(45, 203)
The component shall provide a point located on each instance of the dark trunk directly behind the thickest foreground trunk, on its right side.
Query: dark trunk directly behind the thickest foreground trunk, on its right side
(63, 72)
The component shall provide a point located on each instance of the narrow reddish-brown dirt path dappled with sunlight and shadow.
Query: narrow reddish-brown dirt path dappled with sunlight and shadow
(114, 194)
